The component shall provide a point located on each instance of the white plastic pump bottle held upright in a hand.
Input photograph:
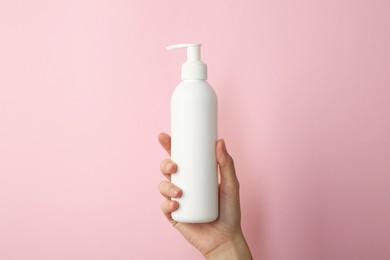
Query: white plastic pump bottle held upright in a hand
(194, 135)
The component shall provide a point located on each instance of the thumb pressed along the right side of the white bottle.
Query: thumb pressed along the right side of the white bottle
(226, 167)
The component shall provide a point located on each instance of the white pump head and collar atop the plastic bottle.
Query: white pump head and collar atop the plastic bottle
(193, 68)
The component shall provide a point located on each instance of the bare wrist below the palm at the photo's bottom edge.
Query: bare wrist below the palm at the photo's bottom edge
(234, 249)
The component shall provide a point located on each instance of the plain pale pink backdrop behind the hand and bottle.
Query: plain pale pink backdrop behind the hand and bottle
(304, 106)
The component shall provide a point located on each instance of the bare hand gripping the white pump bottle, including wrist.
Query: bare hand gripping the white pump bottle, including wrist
(222, 238)
